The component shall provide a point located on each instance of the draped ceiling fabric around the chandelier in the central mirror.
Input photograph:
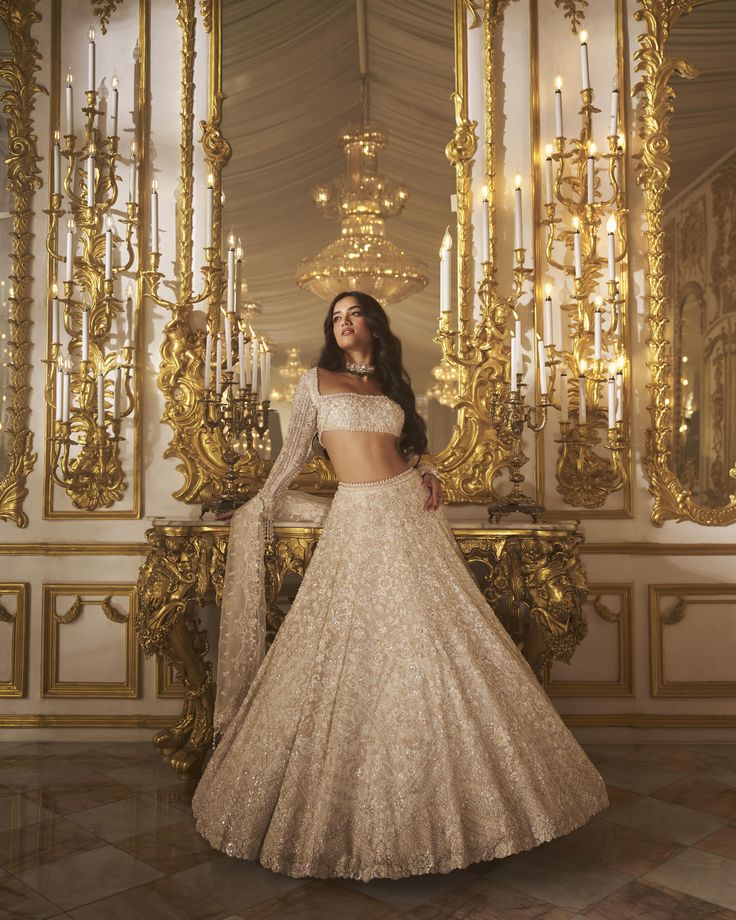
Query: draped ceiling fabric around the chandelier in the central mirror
(290, 72)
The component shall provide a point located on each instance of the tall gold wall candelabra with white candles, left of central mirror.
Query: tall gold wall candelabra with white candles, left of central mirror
(88, 402)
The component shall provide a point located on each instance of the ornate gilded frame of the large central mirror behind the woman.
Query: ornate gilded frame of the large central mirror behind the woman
(182, 350)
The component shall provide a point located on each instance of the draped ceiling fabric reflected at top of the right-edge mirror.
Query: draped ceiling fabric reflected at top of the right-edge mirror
(703, 126)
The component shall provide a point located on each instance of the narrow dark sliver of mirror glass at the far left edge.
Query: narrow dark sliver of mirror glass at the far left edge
(6, 206)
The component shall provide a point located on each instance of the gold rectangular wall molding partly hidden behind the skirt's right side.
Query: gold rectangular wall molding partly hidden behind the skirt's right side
(624, 686)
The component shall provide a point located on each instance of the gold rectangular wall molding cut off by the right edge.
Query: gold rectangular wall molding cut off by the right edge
(707, 594)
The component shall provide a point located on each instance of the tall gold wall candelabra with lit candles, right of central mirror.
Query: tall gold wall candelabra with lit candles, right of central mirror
(573, 187)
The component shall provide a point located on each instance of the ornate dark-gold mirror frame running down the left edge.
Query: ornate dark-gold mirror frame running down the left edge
(22, 178)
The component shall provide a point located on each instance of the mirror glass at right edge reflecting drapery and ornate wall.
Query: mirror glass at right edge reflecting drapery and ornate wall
(700, 262)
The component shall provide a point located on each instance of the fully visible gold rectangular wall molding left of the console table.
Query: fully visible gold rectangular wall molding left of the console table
(52, 620)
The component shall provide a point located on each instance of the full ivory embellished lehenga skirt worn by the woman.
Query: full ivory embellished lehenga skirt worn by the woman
(393, 728)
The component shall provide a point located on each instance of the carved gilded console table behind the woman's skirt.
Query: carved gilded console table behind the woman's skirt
(530, 574)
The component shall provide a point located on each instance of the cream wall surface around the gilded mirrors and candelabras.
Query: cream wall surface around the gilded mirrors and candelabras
(607, 688)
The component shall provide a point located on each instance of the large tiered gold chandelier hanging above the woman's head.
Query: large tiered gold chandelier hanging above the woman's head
(362, 258)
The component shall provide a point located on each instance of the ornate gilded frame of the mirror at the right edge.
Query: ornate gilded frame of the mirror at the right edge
(672, 501)
